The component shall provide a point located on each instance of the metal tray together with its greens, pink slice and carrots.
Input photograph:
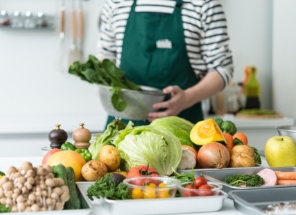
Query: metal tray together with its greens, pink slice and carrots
(248, 178)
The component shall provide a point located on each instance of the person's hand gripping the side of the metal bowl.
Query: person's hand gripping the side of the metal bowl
(177, 103)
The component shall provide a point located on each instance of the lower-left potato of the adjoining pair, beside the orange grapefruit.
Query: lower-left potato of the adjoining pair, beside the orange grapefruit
(93, 170)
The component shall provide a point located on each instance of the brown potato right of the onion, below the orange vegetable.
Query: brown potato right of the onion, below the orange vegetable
(242, 156)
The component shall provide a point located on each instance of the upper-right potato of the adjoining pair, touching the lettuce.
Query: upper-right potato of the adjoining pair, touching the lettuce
(110, 156)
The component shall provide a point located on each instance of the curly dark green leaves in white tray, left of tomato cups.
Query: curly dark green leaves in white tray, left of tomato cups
(107, 188)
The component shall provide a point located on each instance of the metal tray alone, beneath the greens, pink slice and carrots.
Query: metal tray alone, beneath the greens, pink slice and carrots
(220, 176)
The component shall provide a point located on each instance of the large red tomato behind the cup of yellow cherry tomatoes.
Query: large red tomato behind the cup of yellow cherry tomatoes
(142, 170)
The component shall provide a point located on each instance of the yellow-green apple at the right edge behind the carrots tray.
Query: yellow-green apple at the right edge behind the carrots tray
(280, 151)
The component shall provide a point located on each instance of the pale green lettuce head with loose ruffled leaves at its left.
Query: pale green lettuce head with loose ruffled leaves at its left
(149, 145)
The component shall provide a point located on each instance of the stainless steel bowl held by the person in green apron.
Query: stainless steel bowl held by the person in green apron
(139, 103)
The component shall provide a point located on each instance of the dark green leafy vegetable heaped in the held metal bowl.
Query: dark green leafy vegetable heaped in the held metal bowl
(104, 73)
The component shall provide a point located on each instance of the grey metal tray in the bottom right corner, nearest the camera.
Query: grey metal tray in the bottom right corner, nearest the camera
(253, 202)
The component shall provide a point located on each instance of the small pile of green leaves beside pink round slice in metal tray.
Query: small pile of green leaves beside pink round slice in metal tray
(248, 180)
